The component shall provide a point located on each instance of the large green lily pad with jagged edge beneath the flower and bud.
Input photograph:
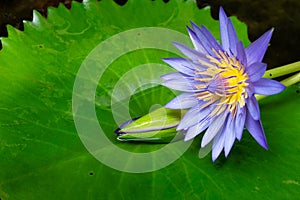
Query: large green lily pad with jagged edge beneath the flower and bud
(42, 155)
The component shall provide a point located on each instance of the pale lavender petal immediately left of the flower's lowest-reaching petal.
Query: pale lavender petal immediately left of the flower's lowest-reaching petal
(214, 128)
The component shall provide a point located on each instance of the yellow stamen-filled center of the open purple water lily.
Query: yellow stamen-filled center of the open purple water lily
(223, 83)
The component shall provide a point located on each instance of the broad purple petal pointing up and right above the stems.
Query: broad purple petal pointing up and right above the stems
(256, 51)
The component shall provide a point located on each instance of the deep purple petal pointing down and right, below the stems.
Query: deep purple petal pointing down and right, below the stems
(256, 130)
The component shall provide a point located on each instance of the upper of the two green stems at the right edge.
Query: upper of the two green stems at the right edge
(284, 70)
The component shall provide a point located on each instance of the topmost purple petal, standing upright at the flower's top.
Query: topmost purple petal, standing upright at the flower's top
(223, 29)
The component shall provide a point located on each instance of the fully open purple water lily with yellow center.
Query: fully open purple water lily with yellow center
(219, 83)
